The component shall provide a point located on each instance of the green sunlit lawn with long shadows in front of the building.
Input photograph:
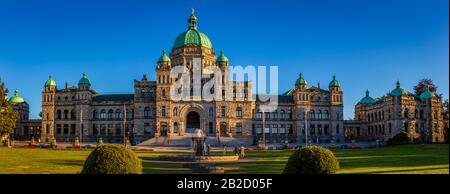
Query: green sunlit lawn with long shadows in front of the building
(399, 159)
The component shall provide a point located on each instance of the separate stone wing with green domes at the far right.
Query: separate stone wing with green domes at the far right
(384, 117)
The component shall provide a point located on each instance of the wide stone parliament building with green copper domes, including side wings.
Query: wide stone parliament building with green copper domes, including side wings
(304, 113)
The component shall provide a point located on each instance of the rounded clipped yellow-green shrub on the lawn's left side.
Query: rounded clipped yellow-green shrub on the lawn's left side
(112, 159)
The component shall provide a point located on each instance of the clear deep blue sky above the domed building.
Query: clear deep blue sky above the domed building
(368, 44)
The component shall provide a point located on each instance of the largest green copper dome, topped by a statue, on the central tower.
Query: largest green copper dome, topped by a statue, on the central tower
(192, 36)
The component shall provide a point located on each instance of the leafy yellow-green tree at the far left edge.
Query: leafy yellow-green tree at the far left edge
(8, 116)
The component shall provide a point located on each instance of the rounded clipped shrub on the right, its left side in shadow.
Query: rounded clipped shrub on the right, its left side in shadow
(312, 160)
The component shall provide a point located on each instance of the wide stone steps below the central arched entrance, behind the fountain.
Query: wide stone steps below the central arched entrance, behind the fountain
(186, 141)
